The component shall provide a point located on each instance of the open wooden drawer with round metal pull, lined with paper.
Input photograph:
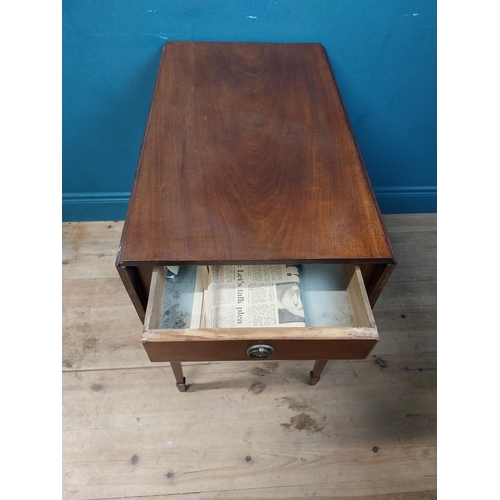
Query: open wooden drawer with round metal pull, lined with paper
(339, 323)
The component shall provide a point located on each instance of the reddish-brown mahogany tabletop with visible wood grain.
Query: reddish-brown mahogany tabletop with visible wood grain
(248, 155)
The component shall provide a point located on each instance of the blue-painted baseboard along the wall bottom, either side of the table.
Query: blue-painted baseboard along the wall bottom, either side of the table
(83, 207)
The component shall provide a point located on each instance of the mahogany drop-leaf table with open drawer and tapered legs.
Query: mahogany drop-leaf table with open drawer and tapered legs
(248, 157)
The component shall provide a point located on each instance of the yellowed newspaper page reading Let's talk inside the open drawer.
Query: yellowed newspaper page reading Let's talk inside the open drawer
(253, 295)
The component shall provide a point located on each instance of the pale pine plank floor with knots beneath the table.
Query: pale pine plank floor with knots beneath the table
(246, 430)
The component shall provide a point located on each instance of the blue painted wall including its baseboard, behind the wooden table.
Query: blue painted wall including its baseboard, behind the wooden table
(383, 53)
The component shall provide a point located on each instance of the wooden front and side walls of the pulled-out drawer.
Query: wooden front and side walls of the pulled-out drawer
(354, 341)
